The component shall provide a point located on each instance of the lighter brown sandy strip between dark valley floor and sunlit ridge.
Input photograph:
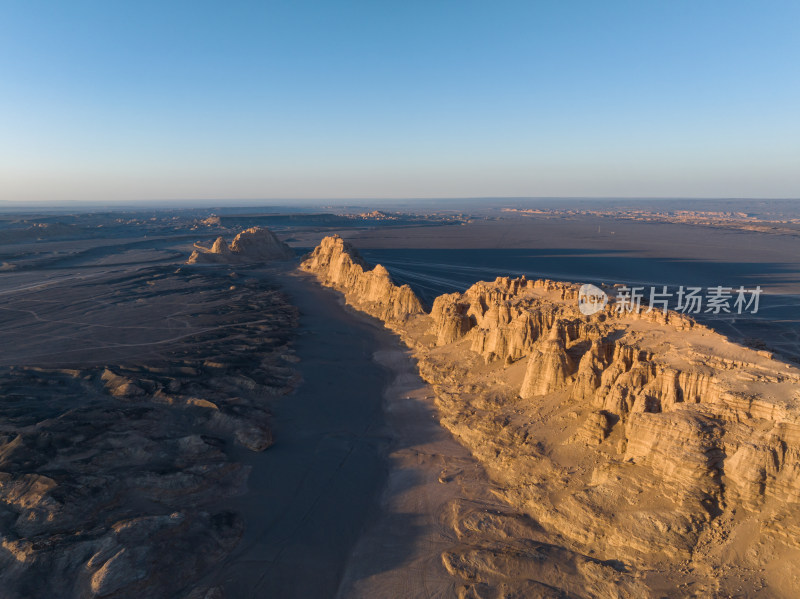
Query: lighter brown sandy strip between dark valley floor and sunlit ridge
(400, 553)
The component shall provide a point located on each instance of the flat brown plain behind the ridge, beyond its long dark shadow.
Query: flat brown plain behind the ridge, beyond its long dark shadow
(776, 255)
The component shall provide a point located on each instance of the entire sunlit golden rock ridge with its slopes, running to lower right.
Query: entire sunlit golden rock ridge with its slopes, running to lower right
(648, 455)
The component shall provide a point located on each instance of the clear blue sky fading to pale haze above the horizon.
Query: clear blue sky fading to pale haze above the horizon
(124, 100)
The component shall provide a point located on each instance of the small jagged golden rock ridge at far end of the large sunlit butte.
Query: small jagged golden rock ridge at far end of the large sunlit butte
(337, 264)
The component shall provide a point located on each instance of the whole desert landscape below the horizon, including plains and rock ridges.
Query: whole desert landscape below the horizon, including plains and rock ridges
(272, 414)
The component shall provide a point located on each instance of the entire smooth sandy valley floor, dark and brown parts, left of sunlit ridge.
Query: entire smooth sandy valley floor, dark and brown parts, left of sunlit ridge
(348, 502)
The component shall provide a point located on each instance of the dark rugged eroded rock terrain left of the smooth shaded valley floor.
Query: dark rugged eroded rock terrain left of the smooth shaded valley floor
(116, 477)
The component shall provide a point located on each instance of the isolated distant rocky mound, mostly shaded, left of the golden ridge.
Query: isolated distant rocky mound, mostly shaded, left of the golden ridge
(257, 244)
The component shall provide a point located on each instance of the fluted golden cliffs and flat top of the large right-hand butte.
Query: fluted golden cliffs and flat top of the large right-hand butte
(708, 422)
